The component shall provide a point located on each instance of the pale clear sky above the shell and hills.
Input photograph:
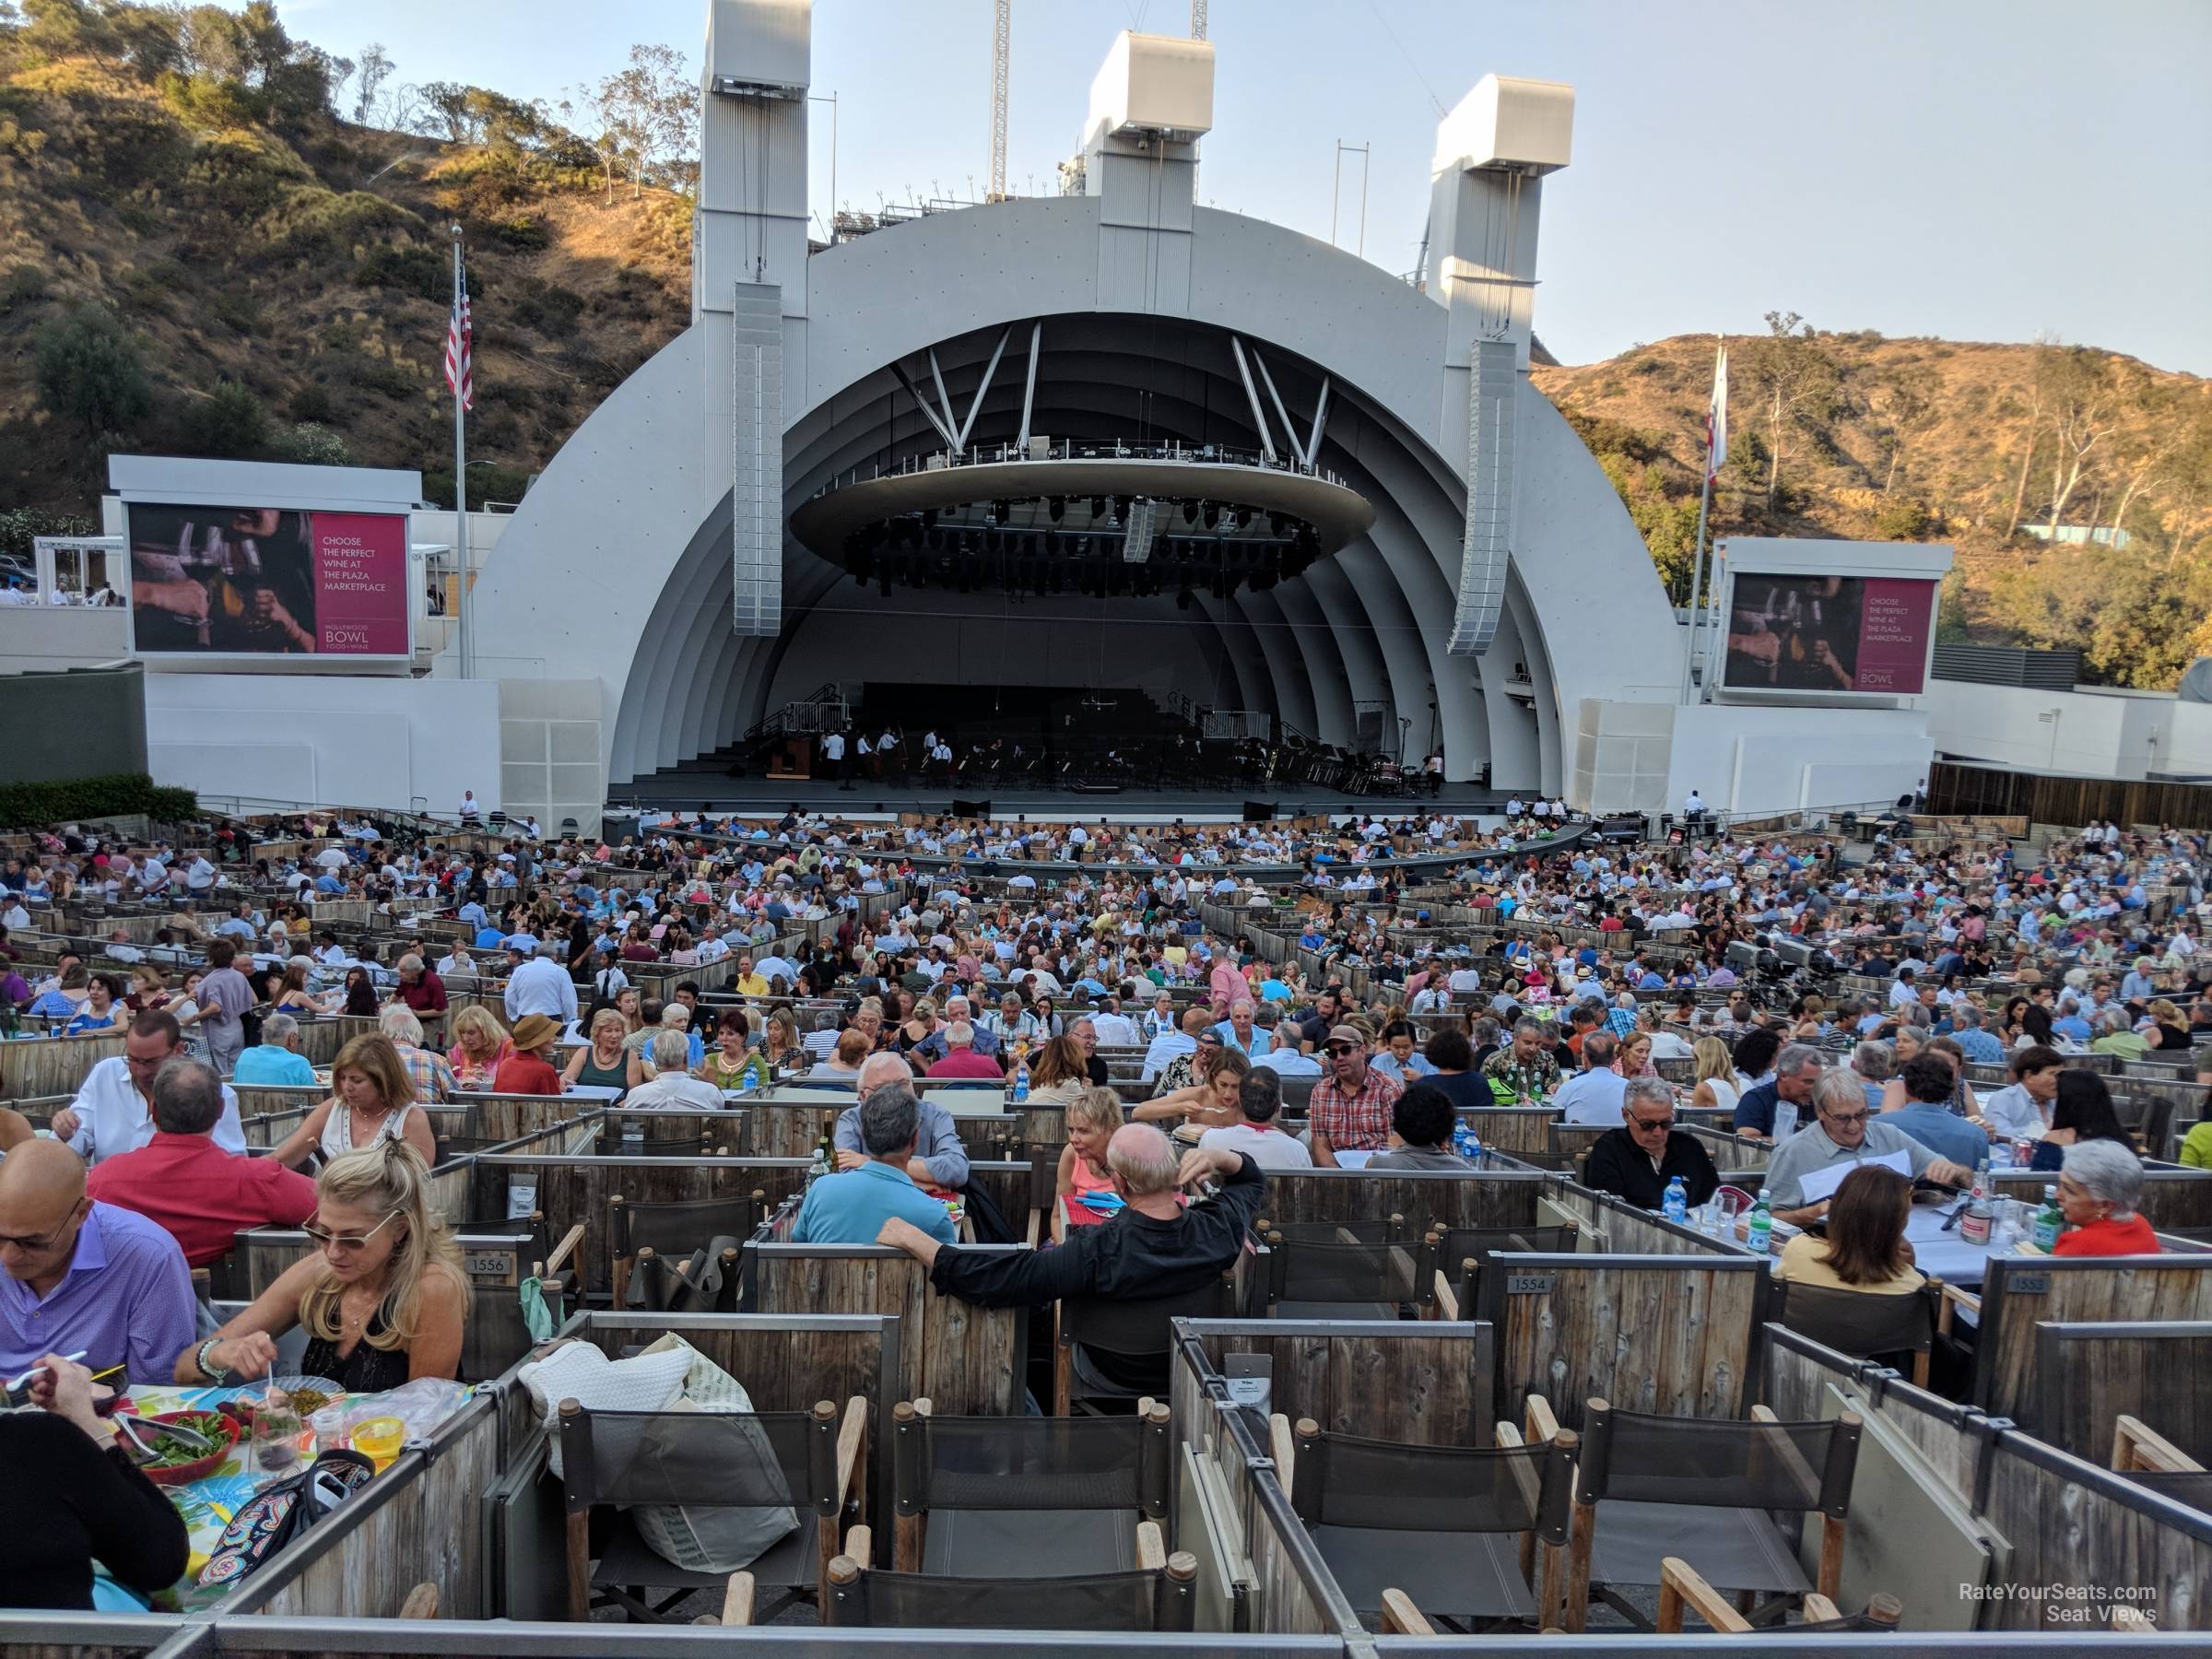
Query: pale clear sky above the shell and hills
(1974, 169)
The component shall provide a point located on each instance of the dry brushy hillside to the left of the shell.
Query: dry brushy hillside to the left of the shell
(306, 260)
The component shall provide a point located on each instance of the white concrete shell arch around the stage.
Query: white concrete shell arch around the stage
(618, 565)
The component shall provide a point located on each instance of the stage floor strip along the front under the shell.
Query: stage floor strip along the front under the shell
(755, 795)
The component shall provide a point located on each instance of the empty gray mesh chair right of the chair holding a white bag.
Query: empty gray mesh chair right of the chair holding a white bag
(1025, 1496)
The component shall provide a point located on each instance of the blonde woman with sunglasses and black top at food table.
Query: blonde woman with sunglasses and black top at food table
(382, 1300)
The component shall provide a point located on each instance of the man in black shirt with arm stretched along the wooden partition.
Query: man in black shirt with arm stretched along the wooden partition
(1154, 1249)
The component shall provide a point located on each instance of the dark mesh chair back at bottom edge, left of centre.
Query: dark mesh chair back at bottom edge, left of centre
(1131, 1603)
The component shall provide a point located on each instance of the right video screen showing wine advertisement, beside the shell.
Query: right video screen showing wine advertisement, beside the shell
(1828, 634)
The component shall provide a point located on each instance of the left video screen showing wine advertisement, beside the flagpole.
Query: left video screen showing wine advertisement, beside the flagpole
(269, 583)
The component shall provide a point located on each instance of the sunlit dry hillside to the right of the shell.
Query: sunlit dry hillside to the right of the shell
(1932, 441)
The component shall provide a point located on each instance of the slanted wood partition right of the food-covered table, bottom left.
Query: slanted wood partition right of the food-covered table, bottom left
(421, 1521)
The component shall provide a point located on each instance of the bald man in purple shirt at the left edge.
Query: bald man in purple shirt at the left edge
(85, 1277)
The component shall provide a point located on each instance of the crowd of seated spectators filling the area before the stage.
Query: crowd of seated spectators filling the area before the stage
(1392, 972)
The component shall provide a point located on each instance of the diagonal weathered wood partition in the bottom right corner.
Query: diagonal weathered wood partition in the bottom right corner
(2072, 1536)
